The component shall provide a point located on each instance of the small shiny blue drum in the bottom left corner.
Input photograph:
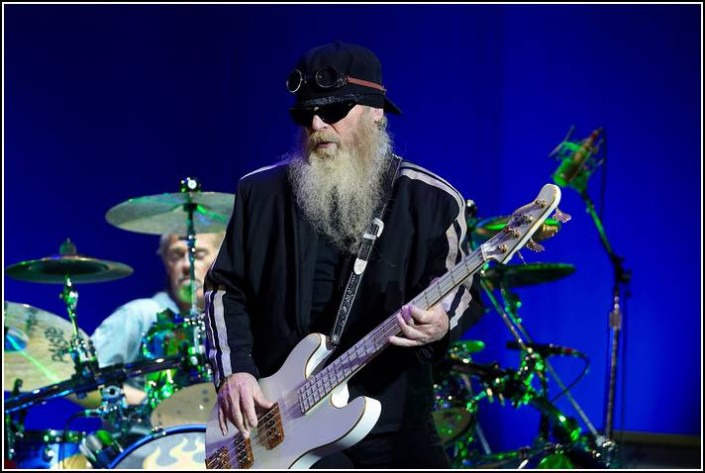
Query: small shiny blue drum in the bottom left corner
(49, 449)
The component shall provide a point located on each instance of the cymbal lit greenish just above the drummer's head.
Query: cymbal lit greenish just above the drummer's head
(165, 213)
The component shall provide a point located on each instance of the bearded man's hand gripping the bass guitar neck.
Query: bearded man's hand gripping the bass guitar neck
(420, 327)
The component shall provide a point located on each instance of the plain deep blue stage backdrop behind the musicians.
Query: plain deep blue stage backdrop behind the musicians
(104, 103)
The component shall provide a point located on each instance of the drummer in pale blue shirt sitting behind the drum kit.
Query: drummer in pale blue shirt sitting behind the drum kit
(118, 339)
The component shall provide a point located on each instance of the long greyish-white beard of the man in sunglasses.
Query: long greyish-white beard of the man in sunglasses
(339, 191)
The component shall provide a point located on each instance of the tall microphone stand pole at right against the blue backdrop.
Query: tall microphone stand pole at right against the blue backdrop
(622, 277)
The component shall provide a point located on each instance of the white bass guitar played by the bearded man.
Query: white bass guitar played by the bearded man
(312, 417)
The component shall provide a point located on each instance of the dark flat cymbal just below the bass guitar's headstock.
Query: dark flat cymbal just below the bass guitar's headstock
(526, 274)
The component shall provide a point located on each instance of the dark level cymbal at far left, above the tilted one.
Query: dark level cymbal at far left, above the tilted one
(81, 269)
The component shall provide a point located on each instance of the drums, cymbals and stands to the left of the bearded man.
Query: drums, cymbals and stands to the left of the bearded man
(48, 357)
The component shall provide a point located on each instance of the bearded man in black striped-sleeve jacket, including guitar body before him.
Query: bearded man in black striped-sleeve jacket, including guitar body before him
(291, 245)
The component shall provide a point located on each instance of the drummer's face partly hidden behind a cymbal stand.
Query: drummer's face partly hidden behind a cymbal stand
(178, 266)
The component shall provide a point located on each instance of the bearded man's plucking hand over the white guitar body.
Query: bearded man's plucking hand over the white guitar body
(238, 399)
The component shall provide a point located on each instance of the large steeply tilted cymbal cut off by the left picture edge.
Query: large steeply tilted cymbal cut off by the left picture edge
(35, 343)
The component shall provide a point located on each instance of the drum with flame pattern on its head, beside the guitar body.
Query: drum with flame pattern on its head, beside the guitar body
(174, 448)
